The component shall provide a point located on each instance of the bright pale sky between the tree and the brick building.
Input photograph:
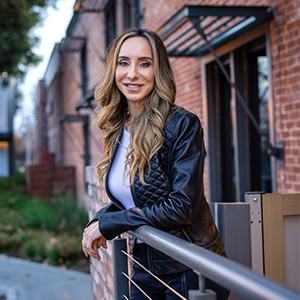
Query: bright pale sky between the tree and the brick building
(50, 31)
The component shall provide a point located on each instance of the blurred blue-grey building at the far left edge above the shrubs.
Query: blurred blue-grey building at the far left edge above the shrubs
(7, 97)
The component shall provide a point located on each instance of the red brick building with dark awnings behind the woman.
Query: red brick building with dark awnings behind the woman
(259, 47)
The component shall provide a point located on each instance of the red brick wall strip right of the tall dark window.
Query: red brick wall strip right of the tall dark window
(285, 35)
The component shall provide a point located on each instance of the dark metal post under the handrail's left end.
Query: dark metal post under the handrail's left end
(120, 266)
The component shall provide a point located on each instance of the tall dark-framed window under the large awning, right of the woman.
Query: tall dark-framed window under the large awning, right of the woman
(238, 161)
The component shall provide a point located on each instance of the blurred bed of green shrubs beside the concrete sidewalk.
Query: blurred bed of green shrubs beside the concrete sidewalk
(39, 230)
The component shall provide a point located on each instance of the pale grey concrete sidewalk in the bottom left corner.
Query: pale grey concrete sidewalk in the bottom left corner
(25, 280)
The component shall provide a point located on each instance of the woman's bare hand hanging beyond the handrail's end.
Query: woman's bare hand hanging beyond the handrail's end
(92, 240)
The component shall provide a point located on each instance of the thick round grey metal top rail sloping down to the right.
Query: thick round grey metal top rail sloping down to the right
(229, 274)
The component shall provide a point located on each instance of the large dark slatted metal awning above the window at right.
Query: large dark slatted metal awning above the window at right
(219, 24)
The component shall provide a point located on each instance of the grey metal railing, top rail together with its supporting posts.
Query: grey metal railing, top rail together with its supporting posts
(229, 274)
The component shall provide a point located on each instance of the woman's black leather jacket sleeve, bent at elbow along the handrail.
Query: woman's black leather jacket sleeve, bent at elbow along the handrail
(185, 176)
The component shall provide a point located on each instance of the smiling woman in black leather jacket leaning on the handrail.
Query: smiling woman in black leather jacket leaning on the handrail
(153, 164)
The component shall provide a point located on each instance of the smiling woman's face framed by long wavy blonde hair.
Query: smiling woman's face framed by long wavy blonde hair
(134, 73)
